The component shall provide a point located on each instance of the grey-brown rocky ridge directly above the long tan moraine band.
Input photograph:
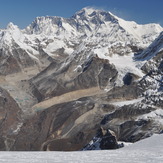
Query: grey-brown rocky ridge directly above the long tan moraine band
(94, 73)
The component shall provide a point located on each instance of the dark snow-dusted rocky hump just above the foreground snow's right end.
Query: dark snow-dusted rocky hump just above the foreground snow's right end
(127, 125)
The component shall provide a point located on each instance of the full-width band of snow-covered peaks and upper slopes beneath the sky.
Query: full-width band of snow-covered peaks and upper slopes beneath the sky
(101, 31)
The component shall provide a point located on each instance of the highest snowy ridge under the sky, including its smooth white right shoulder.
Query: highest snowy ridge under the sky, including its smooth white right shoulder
(89, 20)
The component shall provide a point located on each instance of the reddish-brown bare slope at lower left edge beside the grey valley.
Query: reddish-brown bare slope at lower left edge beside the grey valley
(10, 122)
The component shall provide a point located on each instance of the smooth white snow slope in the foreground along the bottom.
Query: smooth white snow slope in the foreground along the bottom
(147, 150)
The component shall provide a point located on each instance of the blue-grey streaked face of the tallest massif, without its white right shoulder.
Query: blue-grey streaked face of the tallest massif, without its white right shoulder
(82, 23)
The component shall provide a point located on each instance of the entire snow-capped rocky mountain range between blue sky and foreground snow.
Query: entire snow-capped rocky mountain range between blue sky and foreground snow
(64, 79)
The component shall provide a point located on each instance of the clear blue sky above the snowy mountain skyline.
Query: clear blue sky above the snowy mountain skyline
(23, 12)
